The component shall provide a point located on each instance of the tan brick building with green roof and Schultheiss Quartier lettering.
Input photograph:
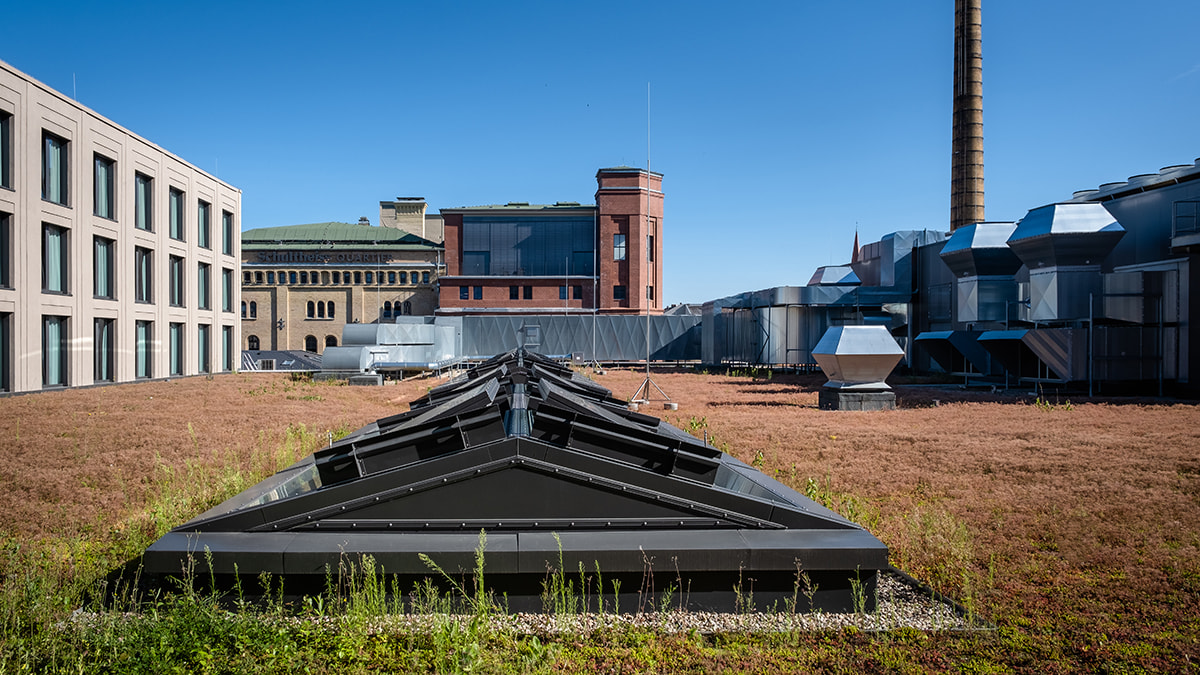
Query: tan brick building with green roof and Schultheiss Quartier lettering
(302, 284)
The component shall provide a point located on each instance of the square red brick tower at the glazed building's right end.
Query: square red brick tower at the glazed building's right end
(629, 204)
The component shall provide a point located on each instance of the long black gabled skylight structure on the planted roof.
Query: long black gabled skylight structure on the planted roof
(554, 469)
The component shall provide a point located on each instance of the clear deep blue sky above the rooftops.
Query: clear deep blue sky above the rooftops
(779, 127)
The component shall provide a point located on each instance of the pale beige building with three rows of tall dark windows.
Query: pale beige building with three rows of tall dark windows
(118, 260)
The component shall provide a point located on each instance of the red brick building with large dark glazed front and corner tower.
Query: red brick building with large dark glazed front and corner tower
(560, 259)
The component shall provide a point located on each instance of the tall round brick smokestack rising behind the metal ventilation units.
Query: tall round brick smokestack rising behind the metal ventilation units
(967, 170)
